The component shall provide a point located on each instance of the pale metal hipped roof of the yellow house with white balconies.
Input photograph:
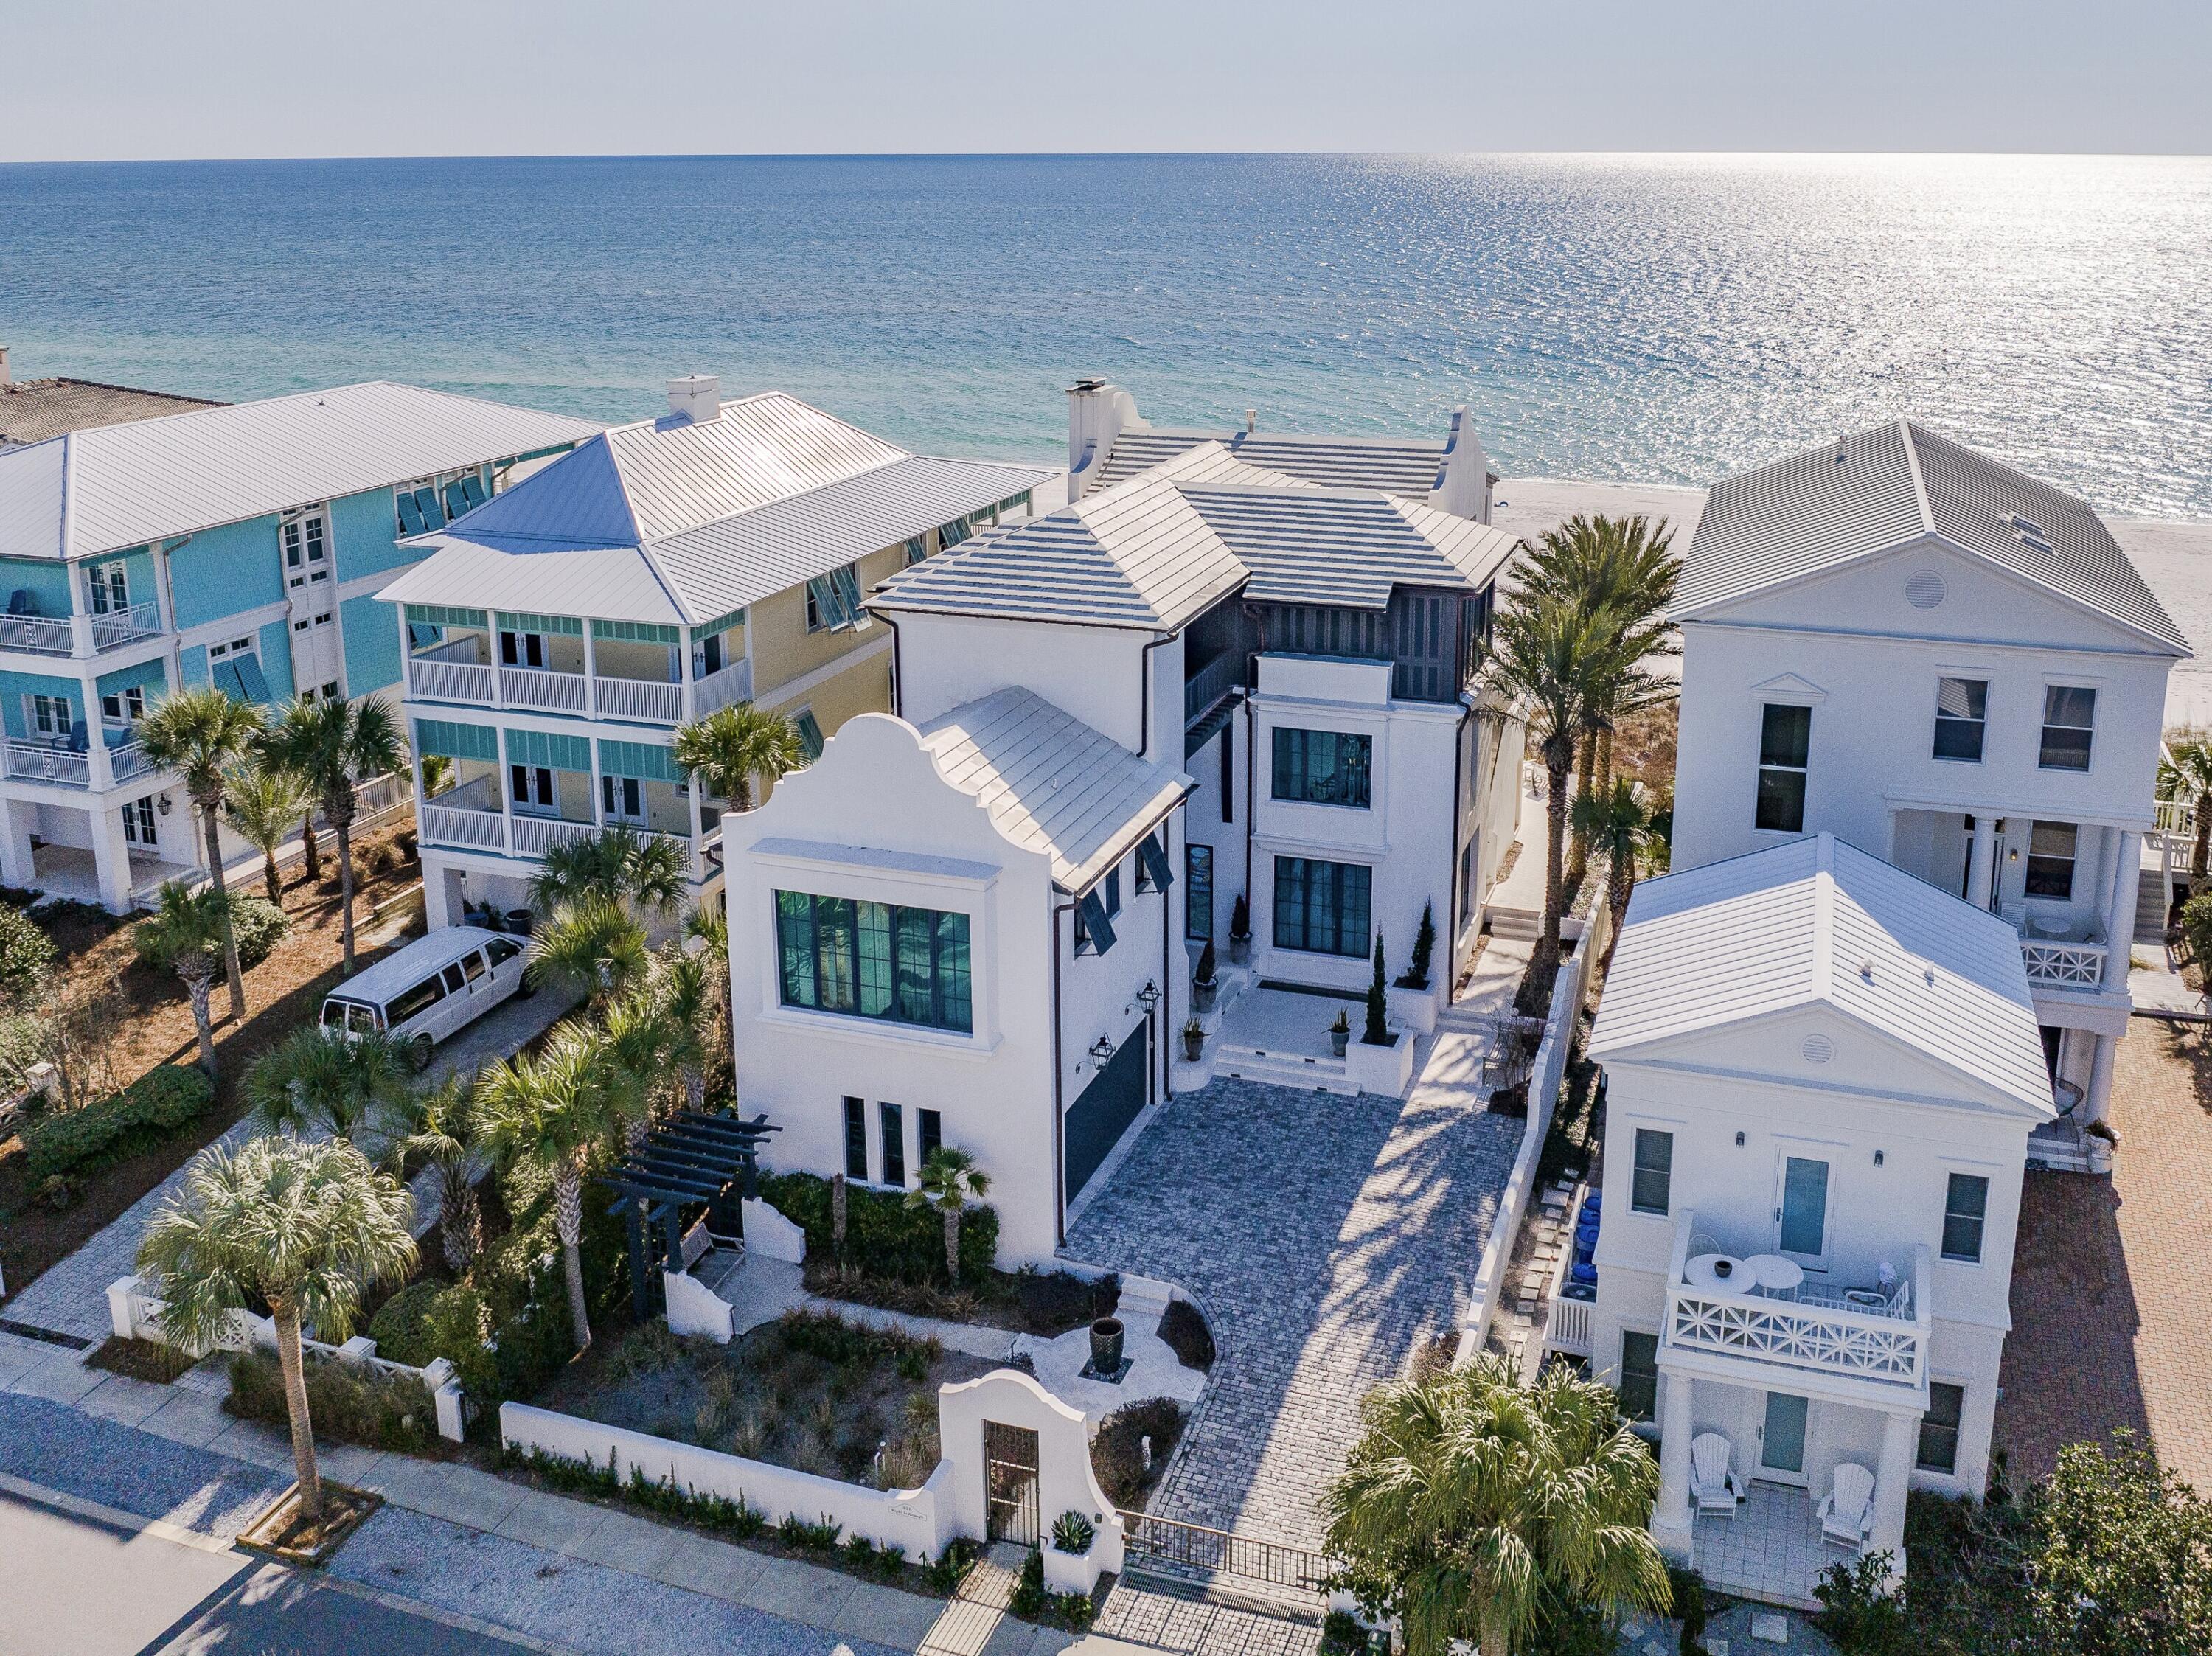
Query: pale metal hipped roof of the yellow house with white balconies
(671, 521)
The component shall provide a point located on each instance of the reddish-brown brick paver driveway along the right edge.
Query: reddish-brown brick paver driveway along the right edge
(2114, 1277)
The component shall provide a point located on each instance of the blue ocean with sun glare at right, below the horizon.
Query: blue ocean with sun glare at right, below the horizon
(1638, 319)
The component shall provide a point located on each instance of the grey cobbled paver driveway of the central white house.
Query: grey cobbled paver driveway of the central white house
(1326, 1239)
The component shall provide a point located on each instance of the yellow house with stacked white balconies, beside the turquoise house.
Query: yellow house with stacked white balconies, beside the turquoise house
(720, 554)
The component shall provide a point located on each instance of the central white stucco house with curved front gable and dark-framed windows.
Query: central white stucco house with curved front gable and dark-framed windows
(1193, 682)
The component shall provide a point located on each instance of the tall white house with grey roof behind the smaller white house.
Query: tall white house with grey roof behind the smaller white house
(1957, 669)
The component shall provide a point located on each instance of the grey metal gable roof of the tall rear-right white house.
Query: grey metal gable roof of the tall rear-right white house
(1888, 488)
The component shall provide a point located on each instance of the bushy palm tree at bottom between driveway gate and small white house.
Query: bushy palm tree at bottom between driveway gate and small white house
(1479, 1509)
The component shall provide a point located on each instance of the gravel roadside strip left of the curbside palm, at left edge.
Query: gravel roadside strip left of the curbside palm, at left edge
(127, 1469)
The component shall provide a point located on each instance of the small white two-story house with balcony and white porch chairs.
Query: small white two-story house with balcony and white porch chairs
(1822, 1084)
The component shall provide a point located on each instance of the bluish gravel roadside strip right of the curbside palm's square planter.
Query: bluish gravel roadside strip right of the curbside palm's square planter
(563, 1600)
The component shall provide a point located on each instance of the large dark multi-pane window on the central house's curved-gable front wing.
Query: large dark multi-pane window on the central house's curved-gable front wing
(875, 961)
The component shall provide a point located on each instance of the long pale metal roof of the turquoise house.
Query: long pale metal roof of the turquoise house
(125, 485)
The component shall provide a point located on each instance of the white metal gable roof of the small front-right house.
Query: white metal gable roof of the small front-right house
(1819, 923)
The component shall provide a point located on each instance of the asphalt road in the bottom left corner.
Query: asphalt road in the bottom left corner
(76, 1586)
